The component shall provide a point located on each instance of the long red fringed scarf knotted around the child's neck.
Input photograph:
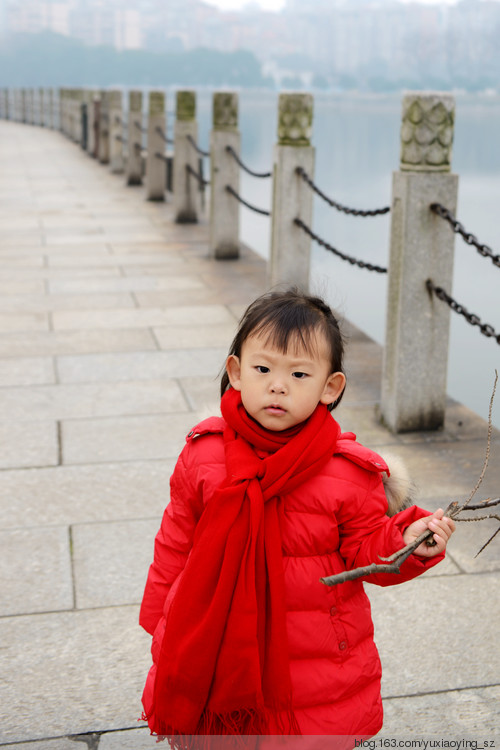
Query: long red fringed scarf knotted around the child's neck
(223, 665)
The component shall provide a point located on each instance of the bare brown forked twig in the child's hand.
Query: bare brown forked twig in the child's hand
(392, 564)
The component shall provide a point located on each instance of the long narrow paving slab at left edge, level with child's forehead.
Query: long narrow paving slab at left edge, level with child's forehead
(75, 342)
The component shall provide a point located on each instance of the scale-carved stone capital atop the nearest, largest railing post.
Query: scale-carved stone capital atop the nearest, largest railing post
(427, 132)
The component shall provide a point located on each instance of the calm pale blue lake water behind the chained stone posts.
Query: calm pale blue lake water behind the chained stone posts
(357, 148)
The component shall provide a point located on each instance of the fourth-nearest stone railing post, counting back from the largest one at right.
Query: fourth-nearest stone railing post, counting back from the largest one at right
(187, 196)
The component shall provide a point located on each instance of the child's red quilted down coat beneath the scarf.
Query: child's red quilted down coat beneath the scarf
(336, 520)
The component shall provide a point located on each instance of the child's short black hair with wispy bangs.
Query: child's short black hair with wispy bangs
(285, 315)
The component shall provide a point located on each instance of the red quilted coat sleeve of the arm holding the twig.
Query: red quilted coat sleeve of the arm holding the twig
(367, 534)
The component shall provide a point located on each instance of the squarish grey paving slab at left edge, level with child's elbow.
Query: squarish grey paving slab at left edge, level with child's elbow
(35, 571)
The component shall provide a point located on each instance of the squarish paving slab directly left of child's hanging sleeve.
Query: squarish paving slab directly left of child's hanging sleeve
(124, 549)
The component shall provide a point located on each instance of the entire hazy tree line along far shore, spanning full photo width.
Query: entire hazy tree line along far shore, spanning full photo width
(51, 60)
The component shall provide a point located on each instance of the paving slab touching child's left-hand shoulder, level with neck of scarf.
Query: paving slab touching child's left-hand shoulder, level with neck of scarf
(125, 438)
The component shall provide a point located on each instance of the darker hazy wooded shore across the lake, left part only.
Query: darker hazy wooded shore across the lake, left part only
(51, 60)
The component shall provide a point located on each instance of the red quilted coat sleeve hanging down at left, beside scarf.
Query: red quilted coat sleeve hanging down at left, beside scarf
(173, 541)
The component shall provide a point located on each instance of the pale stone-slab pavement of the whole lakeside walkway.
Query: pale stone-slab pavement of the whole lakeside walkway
(114, 323)
